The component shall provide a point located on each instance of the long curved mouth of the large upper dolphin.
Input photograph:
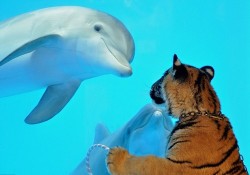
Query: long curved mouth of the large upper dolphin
(119, 56)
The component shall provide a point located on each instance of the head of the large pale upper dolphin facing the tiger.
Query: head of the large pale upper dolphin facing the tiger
(107, 43)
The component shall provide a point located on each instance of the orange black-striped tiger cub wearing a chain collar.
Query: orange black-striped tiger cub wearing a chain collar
(201, 143)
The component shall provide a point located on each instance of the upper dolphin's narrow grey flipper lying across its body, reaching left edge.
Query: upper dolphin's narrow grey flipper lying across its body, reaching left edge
(30, 46)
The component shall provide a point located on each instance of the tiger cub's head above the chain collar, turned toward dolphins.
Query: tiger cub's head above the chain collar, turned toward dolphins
(184, 88)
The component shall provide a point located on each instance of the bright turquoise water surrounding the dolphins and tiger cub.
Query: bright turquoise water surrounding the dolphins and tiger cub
(215, 32)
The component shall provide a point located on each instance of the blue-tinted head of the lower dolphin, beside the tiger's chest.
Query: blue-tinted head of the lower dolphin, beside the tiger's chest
(148, 131)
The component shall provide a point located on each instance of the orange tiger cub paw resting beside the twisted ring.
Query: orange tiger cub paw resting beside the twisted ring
(116, 160)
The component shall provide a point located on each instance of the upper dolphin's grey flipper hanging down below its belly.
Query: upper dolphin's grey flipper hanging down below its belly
(53, 101)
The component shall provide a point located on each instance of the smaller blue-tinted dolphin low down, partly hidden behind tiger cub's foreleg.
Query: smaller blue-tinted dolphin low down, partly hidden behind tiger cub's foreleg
(146, 133)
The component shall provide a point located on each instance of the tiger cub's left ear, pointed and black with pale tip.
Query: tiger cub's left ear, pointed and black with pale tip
(179, 70)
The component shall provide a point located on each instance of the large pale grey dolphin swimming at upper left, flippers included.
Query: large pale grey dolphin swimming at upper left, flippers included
(58, 48)
